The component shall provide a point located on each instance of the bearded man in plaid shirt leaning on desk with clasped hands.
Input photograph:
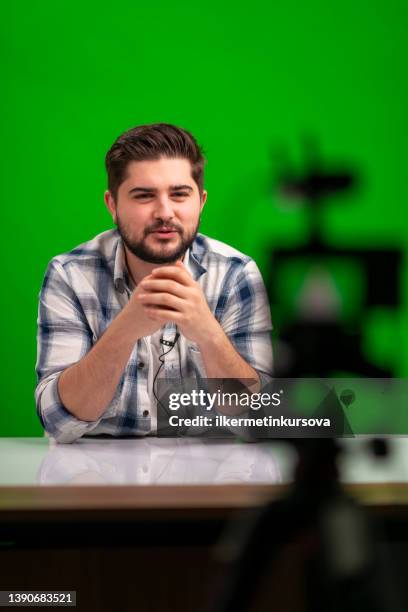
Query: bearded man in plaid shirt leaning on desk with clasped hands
(152, 297)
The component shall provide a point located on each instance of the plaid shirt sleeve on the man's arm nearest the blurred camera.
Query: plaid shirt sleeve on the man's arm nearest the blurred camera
(247, 320)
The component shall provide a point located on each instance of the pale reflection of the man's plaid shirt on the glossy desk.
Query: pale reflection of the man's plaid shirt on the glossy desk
(158, 461)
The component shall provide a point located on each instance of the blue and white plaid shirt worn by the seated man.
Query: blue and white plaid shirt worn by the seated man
(85, 289)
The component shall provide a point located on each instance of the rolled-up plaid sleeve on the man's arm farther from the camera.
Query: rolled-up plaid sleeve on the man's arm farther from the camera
(63, 338)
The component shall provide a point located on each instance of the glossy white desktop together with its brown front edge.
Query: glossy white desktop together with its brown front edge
(178, 471)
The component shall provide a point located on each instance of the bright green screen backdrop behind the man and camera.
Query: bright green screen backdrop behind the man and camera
(244, 80)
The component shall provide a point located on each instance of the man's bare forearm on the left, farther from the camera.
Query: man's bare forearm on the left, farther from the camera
(87, 387)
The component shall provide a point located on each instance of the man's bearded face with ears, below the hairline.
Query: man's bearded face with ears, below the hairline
(157, 209)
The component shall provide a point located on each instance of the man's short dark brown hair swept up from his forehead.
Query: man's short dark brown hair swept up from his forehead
(150, 142)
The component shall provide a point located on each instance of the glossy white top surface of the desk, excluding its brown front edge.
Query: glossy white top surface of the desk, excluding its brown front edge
(158, 461)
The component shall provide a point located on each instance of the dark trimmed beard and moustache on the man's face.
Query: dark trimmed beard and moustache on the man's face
(160, 254)
